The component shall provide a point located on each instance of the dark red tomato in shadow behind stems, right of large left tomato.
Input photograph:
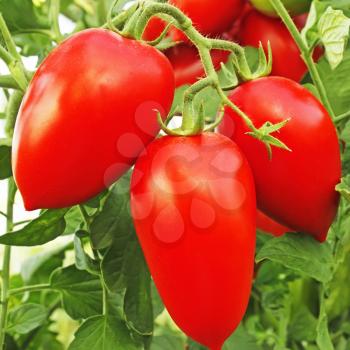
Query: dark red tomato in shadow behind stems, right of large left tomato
(187, 65)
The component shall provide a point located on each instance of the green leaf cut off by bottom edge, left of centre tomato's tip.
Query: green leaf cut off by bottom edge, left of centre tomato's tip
(103, 333)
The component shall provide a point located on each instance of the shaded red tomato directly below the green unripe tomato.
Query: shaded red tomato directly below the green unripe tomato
(287, 62)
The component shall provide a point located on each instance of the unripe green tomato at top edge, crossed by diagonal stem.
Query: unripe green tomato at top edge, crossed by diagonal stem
(294, 7)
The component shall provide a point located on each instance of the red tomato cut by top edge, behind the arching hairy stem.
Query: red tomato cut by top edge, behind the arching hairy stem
(210, 17)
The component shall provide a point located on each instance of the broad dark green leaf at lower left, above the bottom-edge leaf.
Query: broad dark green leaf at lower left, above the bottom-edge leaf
(81, 292)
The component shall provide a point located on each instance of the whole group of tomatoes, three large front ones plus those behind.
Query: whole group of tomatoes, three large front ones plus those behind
(90, 113)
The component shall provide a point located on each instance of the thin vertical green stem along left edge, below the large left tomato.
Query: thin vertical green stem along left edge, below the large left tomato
(5, 275)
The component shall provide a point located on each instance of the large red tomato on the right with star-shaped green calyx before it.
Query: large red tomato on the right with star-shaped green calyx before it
(295, 188)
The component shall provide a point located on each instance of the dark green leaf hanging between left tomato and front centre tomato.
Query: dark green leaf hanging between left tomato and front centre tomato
(114, 217)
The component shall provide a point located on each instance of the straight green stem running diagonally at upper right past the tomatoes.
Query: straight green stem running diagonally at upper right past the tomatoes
(305, 53)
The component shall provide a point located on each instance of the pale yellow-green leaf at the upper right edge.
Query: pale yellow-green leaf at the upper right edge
(333, 27)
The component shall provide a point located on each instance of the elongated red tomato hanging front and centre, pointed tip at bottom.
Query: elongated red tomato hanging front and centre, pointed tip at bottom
(193, 205)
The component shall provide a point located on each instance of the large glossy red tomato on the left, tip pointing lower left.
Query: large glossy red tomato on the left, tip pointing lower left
(87, 114)
